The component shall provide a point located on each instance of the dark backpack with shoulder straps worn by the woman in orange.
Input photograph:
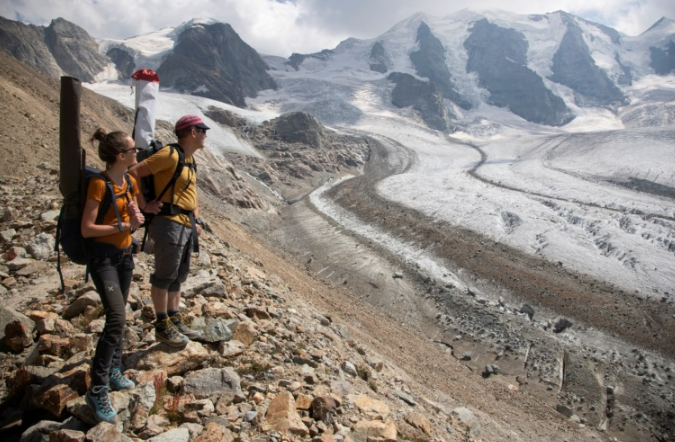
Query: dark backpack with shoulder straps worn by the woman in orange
(69, 226)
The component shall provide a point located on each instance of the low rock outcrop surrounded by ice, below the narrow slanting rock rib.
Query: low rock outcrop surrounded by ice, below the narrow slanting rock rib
(424, 97)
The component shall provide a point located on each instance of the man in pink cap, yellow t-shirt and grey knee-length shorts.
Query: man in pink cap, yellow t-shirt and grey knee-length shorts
(175, 227)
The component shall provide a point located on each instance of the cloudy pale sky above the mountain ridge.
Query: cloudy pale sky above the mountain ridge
(282, 27)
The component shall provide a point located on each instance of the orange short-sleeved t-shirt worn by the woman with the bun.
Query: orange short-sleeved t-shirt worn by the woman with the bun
(96, 191)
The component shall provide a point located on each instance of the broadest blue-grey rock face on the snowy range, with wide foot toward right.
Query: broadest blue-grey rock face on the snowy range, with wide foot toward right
(499, 57)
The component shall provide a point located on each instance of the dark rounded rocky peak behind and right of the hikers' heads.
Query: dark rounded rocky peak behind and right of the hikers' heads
(212, 61)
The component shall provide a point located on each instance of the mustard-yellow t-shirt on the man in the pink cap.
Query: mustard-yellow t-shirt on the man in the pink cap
(163, 164)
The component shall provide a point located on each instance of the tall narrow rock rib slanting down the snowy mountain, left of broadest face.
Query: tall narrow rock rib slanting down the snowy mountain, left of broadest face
(429, 61)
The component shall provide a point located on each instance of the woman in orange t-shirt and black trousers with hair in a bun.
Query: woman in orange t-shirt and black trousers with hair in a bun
(111, 262)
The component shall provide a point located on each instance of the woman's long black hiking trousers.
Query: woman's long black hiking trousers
(112, 278)
